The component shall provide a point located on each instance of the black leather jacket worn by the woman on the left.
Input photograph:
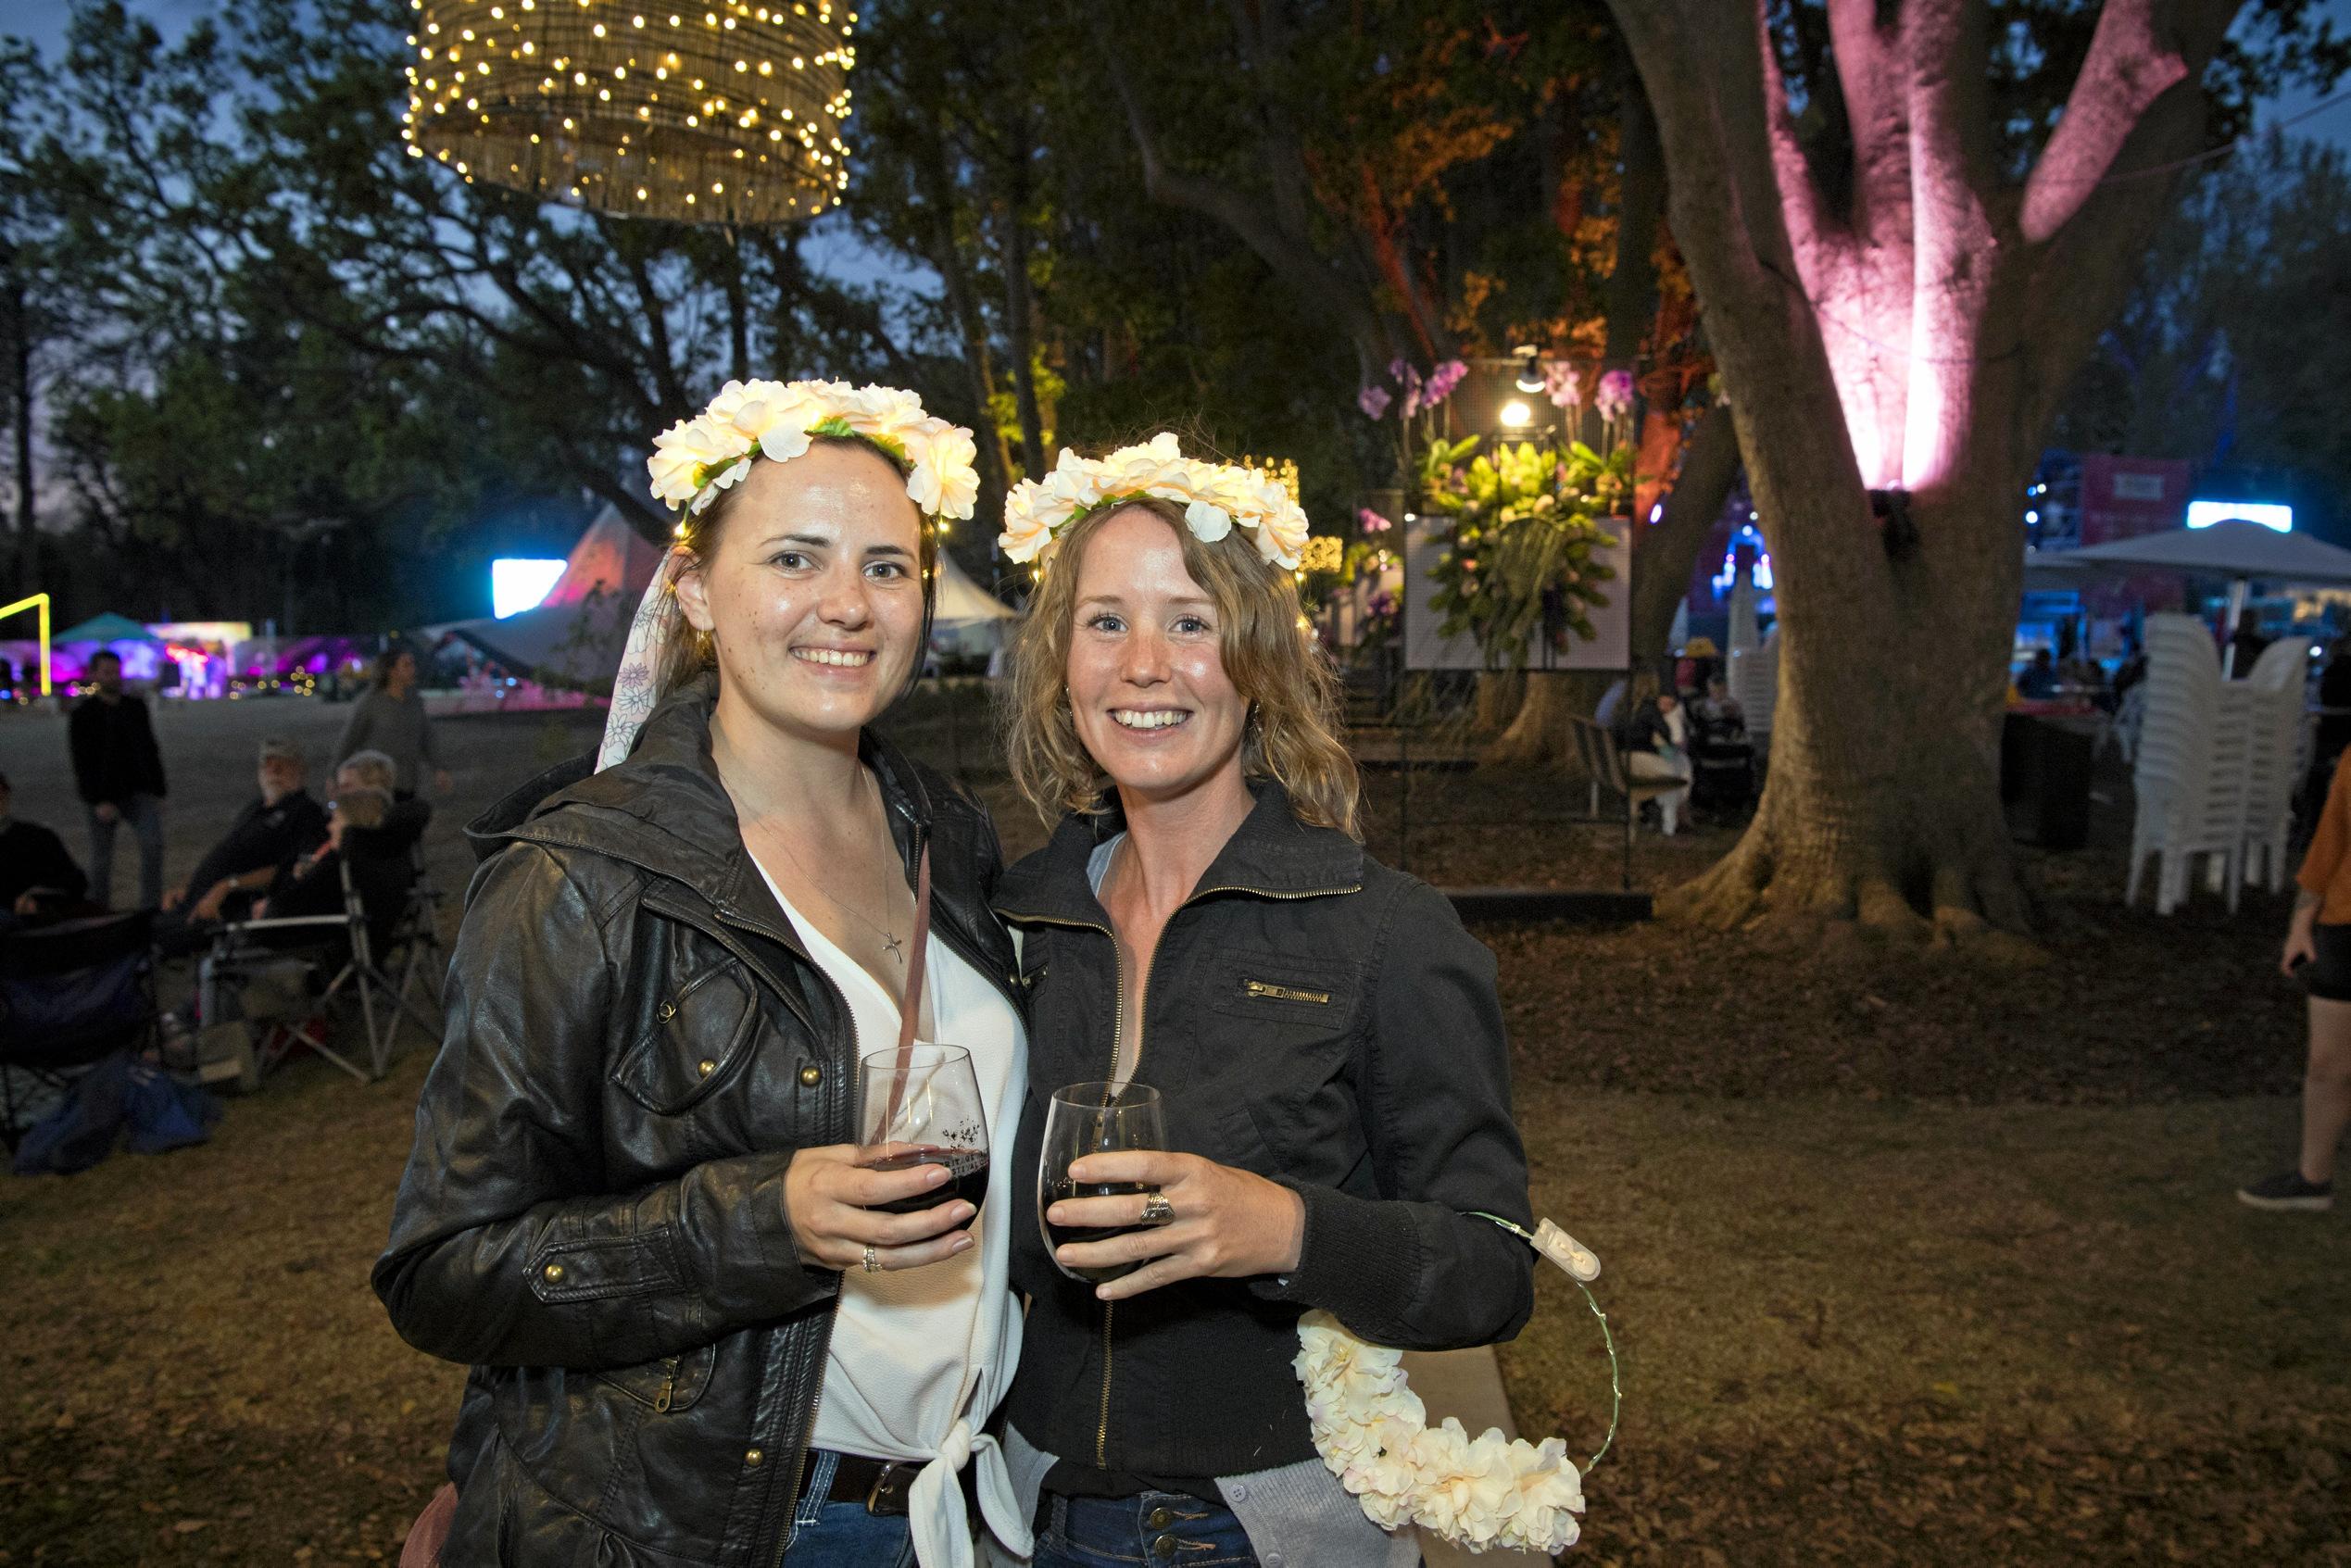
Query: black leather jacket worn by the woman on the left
(594, 1212)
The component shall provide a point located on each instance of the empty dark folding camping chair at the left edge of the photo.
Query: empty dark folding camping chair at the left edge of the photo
(69, 996)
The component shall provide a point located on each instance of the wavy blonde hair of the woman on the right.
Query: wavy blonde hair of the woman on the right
(1275, 666)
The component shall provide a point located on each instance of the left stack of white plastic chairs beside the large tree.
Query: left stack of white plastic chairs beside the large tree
(2190, 765)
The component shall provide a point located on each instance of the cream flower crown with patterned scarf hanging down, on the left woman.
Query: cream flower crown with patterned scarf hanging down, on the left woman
(772, 420)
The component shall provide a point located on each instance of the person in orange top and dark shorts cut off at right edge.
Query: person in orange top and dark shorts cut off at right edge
(2319, 956)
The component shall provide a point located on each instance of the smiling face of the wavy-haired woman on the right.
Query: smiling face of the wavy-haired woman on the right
(1148, 681)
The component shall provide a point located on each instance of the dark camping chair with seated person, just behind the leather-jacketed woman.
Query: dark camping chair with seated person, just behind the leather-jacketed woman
(377, 880)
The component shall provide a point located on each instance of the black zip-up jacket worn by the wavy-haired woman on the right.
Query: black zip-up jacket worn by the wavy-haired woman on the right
(1327, 1024)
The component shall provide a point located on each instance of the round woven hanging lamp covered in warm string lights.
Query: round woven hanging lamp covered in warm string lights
(723, 112)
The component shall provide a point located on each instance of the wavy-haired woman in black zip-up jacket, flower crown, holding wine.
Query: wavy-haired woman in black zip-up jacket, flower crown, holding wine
(1322, 1033)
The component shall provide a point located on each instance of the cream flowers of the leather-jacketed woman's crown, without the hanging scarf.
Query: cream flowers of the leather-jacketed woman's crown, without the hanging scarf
(699, 457)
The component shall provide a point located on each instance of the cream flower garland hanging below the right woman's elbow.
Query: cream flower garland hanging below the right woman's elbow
(1372, 1430)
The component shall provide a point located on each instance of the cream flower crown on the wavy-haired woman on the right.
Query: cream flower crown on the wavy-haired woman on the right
(1214, 497)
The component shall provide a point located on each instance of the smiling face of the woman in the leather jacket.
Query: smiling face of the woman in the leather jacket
(815, 591)
